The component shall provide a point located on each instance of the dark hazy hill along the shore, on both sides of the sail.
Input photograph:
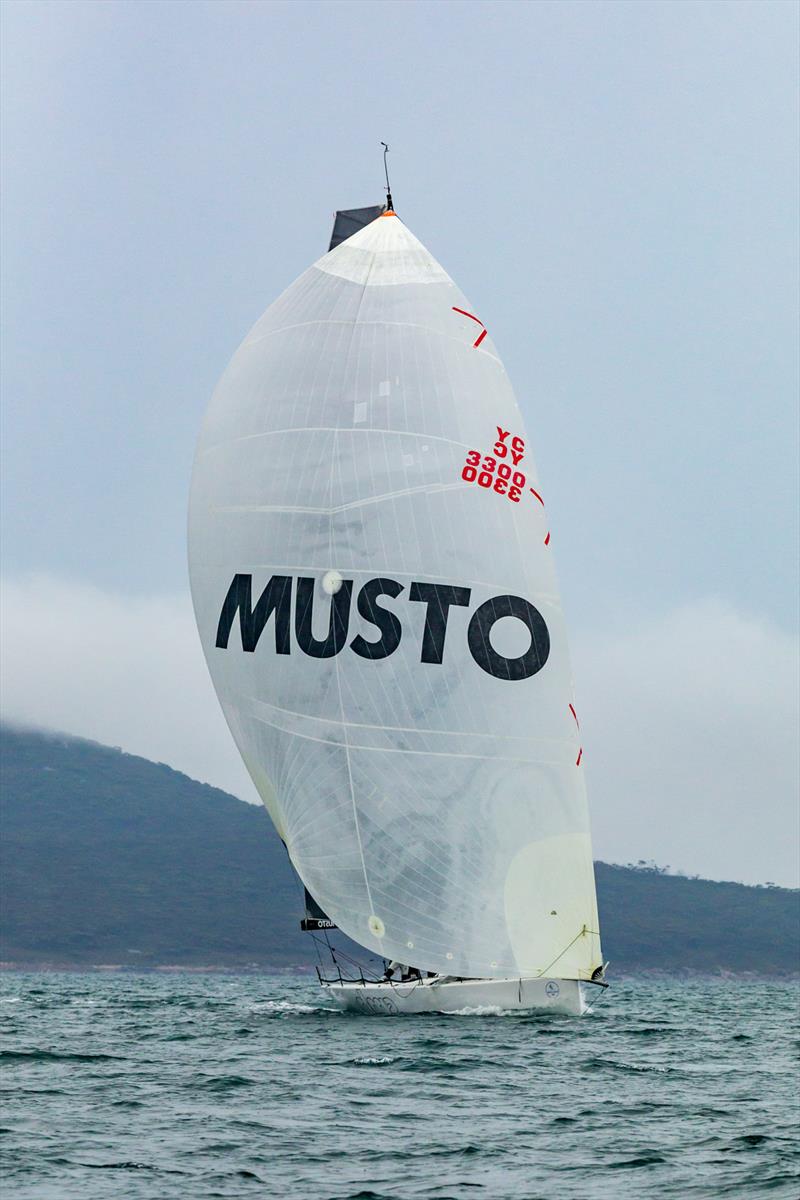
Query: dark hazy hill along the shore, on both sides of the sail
(109, 859)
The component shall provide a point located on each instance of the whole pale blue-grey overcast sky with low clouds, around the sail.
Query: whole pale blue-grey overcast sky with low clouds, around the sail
(615, 187)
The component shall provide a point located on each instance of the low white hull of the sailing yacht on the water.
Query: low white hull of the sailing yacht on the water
(389, 999)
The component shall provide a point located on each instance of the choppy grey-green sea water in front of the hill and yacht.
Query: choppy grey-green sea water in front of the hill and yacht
(154, 1087)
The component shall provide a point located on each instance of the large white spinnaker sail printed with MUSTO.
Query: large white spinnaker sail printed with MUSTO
(430, 790)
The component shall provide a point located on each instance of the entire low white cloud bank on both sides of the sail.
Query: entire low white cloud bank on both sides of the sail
(689, 719)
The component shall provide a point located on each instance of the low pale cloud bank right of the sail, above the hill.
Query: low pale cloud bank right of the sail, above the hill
(691, 735)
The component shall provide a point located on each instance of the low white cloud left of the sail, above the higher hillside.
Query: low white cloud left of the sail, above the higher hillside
(127, 671)
